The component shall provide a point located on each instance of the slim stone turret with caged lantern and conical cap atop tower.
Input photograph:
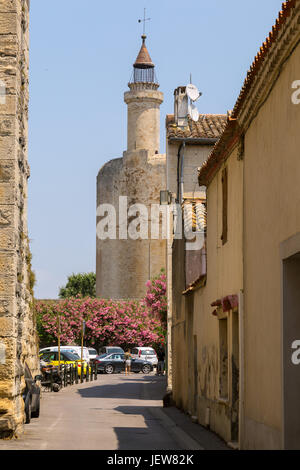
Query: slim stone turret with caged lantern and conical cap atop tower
(143, 101)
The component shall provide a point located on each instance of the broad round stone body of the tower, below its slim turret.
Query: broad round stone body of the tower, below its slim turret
(124, 266)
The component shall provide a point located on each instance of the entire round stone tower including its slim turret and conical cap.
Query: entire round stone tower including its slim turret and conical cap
(124, 265)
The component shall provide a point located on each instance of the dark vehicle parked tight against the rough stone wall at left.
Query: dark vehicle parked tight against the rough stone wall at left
(31, 395)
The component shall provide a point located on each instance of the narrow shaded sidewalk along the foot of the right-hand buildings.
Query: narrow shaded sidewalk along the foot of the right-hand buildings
(188, 433)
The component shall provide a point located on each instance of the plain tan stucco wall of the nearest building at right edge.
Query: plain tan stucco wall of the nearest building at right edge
(271, 217)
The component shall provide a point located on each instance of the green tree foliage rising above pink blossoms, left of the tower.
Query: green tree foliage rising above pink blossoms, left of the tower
(83, 284)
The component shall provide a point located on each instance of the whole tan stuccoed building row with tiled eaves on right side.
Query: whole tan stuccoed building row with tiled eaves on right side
(243, 318)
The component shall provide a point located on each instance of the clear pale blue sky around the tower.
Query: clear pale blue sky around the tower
(80, 63)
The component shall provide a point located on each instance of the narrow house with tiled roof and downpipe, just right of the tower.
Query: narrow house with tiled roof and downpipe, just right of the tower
(187, 149)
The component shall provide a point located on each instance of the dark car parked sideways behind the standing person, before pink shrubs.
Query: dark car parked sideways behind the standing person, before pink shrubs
(116, 363)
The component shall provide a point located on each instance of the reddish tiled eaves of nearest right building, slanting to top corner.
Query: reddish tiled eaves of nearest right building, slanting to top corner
(233, 132)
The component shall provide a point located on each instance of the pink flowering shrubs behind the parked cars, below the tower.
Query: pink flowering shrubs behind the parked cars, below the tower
(124, 323)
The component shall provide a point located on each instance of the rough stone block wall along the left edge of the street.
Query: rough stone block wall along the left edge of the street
(18, 339)
